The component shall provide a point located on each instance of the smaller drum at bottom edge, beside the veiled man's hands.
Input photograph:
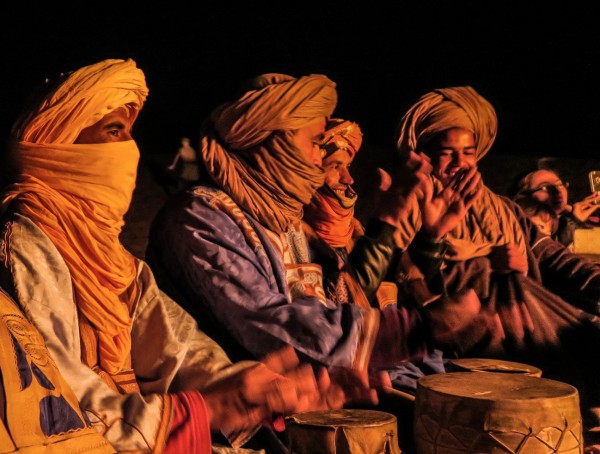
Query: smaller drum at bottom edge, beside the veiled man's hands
(345, 431)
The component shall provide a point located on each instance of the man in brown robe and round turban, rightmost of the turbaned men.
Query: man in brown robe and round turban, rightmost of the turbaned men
(546, 297)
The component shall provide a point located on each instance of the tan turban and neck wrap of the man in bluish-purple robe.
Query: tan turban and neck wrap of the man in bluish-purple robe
(248, 150)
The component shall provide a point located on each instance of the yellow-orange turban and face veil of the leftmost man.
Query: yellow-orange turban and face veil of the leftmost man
(78, 193)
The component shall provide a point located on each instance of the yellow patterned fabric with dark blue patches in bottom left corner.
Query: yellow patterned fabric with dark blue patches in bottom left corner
(40, 409)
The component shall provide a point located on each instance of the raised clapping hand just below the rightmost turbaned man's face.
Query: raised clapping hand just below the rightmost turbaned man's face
(442, 212)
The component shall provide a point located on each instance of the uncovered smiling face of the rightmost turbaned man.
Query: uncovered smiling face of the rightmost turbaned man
(453, 150)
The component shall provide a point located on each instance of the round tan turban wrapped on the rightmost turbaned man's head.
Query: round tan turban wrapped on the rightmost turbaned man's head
(445, 108)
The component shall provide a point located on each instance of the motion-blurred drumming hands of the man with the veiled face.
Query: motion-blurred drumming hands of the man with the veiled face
(261, 393)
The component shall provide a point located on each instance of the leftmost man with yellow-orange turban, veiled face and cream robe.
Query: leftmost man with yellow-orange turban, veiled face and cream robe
(146, 377)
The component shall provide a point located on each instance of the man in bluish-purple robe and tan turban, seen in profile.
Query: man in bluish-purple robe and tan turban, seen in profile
(234, 249)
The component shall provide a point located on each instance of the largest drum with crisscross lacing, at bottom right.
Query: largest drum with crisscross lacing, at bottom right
(475, 412)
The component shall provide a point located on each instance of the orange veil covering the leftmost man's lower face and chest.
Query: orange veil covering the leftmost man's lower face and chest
(79, 201)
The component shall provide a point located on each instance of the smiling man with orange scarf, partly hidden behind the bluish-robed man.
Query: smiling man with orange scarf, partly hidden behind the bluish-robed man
(358, 266)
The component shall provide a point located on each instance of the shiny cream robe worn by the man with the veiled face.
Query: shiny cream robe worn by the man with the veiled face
(169, 354)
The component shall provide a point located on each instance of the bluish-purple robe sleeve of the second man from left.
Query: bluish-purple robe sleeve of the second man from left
(205, 251)
